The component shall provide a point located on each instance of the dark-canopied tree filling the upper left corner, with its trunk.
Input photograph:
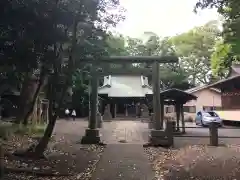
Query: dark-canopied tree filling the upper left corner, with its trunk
(27, 33)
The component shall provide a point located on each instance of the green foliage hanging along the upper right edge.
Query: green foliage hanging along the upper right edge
(228, 50)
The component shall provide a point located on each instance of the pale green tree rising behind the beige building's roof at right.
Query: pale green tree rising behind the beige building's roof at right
(195, 48)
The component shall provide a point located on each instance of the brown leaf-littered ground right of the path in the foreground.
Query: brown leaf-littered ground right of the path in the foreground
(195, 162)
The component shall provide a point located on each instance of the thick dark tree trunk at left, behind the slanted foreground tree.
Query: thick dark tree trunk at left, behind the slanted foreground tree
(26, 100)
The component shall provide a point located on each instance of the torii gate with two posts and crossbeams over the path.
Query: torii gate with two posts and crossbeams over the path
(92, 133)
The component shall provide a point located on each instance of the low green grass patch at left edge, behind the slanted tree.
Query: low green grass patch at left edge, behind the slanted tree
(8, 129)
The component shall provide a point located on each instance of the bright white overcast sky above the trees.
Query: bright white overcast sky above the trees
(163, 17)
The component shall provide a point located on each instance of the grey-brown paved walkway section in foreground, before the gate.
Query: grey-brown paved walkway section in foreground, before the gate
(123, 162)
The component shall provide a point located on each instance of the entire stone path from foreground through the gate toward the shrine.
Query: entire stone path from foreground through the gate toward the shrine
(124, 161)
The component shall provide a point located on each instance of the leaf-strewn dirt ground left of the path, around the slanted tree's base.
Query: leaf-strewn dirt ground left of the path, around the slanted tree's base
(66, 157)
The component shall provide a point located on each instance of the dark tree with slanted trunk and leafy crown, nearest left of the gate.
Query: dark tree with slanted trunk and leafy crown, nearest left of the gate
(85, 35)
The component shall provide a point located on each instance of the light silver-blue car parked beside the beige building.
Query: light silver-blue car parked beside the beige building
(204, 118)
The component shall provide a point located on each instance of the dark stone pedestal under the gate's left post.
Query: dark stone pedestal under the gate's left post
(91, 137)
